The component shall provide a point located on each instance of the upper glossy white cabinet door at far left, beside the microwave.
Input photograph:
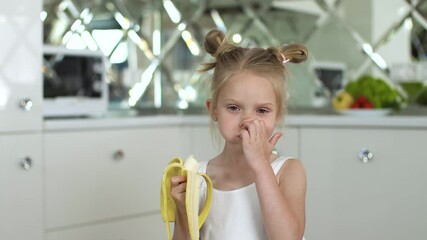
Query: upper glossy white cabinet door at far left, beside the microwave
(20, 65)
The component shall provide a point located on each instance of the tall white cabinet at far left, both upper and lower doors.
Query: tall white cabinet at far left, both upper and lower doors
(21, 163)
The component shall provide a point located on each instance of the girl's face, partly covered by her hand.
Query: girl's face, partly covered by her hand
(246, 97)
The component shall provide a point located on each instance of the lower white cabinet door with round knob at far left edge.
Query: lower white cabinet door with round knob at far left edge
(21, 206)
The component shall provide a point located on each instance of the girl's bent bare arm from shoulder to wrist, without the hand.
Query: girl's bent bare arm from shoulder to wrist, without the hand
(282, 200)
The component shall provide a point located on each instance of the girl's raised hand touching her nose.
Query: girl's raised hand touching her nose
(257, 144)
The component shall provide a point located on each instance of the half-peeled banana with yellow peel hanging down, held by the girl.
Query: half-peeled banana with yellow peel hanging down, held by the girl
(189, 168)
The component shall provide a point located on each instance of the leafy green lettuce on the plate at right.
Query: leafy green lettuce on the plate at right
(377, 91)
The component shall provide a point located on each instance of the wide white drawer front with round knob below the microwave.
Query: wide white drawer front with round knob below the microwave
(98, 176)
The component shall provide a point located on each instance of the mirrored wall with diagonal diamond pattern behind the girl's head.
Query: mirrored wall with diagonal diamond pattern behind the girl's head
(154, 46)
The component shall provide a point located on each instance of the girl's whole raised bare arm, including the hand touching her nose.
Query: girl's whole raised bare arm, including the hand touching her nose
(282, 198)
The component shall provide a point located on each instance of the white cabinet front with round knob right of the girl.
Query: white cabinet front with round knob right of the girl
(383, 198)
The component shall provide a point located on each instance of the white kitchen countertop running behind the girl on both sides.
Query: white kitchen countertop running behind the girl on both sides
(296, 118)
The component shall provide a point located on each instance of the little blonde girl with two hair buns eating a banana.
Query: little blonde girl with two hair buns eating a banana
(257, 194)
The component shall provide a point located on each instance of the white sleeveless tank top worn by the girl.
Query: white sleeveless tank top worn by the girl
(234, 214)
